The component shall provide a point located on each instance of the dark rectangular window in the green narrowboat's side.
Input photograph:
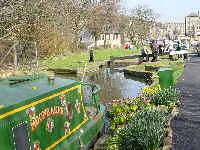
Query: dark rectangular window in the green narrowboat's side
(21, 138)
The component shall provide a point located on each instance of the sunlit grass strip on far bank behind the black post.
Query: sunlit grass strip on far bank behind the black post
(78, 60)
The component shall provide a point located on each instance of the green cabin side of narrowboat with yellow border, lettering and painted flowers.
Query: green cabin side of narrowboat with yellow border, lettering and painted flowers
(51, 119)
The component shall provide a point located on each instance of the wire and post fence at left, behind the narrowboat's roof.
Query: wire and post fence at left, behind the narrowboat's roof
(18, 55)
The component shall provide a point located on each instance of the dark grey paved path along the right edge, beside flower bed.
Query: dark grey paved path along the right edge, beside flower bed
(186, 126)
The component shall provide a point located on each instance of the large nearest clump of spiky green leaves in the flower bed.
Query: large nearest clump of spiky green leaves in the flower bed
(144, 131)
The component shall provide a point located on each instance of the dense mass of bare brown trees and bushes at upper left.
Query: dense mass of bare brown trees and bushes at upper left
(52, 23)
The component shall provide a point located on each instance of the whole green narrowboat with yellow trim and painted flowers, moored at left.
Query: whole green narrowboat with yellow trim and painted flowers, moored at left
(39, 113)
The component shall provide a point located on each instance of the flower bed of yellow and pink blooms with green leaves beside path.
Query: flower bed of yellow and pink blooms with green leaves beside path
(141, 123)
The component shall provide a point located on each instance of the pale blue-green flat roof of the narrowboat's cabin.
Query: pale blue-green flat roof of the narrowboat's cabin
(16, 90)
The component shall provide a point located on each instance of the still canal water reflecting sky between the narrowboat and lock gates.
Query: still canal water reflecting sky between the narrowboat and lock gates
(114, 84)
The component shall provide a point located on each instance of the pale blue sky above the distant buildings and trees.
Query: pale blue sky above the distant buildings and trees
(169, 10)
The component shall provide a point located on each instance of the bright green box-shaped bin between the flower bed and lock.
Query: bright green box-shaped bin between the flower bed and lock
(165, 77)
